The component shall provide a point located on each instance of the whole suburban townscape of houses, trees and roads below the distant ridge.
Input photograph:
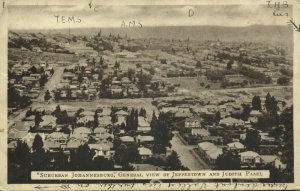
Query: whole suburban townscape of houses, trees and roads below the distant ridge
(113, 101)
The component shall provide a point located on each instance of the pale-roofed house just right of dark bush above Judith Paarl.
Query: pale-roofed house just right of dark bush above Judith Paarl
(250, 159)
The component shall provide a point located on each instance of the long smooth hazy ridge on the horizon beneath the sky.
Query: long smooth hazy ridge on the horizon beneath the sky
(254, 33)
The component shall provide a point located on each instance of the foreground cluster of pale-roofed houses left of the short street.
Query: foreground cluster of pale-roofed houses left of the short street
(100, 138)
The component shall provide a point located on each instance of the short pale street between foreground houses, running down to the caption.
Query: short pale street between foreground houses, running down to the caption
(186, 157)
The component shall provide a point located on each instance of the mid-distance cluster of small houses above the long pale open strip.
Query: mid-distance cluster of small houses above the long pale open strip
(84, 81)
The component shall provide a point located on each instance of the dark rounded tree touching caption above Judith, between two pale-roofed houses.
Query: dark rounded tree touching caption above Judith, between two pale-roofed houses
(229, 160)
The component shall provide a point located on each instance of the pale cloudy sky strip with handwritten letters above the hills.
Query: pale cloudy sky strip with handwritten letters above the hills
(45, 17)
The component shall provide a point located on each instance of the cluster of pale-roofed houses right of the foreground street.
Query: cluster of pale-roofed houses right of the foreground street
(225, 133)
